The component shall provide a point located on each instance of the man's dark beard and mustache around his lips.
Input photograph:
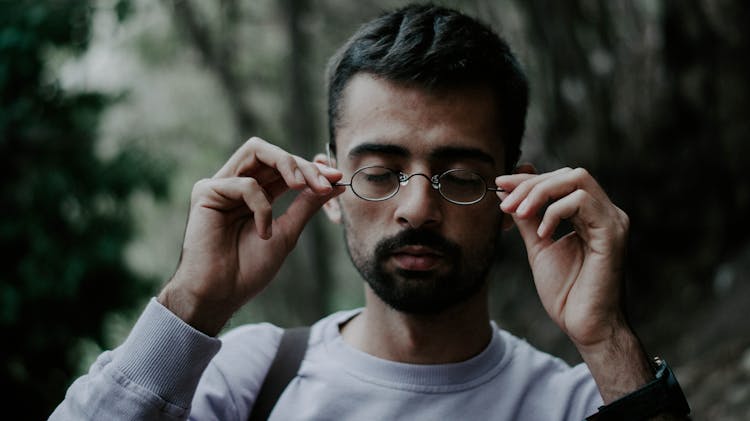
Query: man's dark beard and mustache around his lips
(423, 292)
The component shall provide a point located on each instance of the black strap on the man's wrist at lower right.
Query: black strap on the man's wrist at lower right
(660, 396)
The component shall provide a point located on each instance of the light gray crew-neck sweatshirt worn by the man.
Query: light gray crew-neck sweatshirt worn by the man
(166, 370)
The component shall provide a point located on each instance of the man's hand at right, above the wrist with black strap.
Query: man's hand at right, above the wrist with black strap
(578, 276)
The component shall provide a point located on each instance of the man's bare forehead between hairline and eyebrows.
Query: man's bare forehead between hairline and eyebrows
(378, 111)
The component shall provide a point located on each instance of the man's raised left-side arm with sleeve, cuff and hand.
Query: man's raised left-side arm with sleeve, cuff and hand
(233, 248)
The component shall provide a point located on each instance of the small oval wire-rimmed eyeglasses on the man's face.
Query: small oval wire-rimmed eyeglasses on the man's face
(459, 186)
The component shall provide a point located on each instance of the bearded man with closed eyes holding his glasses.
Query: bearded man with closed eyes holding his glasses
(426, 113)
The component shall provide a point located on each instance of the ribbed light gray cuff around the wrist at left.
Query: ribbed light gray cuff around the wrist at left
(165, 355)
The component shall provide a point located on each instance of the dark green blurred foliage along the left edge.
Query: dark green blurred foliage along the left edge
(65, 220)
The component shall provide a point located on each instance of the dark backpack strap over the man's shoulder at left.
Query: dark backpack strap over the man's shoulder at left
(284, 367)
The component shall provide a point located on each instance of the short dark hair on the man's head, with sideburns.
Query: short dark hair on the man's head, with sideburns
(435, 48)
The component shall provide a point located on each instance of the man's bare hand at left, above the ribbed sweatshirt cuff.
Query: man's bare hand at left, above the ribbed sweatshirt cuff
(233, 247)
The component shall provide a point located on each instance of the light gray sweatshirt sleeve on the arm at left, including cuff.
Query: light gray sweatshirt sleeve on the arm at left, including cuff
(152, 375)
